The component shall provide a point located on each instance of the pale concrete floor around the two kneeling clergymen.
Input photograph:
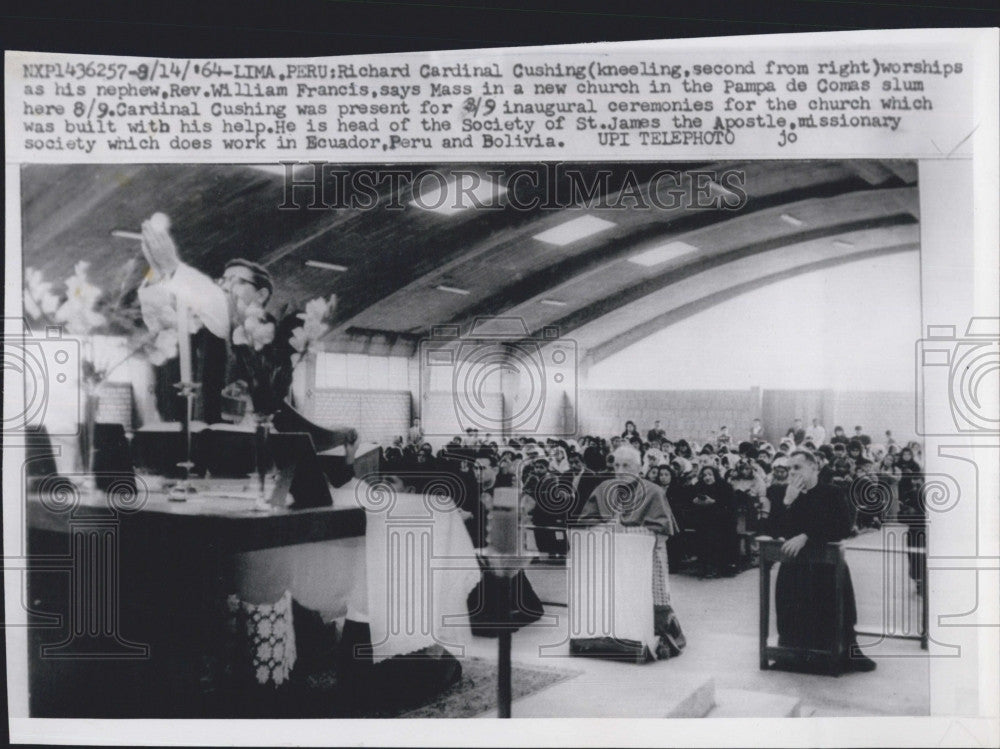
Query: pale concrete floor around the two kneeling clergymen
(720, 621)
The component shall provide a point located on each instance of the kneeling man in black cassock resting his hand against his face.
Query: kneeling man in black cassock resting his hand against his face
(813, 514)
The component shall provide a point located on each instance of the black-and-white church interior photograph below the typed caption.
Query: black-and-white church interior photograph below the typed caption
(580, 409)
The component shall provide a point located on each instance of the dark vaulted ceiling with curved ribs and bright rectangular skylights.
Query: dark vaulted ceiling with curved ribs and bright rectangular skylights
(399, 268)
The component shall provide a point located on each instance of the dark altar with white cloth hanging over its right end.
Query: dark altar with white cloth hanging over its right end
(128, 598)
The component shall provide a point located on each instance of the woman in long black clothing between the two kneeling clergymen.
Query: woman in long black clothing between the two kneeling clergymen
(714, 517)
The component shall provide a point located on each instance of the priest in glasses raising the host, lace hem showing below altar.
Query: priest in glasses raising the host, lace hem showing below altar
(229, 358)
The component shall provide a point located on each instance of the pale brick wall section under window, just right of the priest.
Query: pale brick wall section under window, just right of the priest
(378, 415)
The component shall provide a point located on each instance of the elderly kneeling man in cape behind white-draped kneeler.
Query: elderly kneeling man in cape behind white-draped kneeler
(635, 505)
